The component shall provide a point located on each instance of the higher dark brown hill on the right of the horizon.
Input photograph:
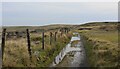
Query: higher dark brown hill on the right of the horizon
(100, 25)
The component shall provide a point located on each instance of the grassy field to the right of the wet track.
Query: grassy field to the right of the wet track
(101, 47)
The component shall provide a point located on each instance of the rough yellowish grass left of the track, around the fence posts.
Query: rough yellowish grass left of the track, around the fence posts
(16, 51)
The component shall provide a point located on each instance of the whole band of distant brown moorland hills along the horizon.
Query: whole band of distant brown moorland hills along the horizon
(58, 26)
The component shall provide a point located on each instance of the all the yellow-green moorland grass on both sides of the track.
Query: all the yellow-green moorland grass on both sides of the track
(101, 44)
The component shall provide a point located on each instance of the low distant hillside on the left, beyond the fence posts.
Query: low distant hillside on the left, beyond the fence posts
(46, 27)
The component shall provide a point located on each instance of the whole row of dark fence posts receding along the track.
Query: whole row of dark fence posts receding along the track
(29, 41)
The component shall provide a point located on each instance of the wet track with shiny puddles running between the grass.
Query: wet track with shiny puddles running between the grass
(71, 56)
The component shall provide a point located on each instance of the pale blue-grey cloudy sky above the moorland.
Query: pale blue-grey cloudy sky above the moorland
(45, 13)
